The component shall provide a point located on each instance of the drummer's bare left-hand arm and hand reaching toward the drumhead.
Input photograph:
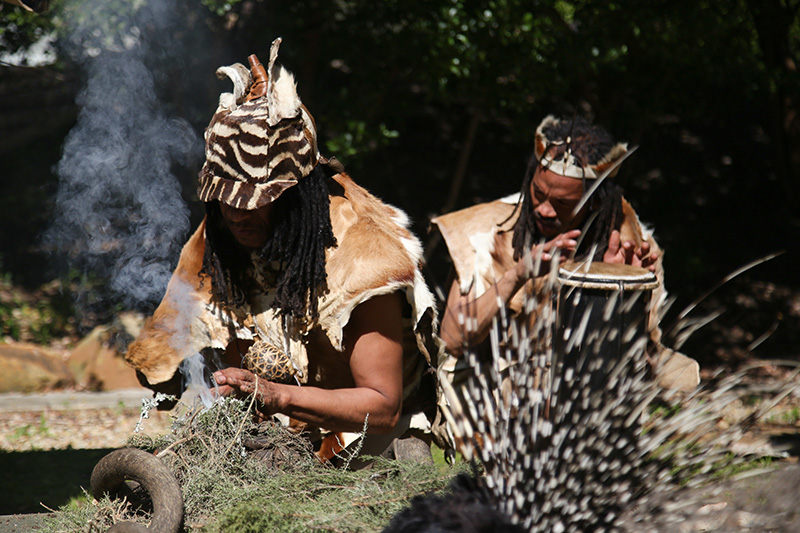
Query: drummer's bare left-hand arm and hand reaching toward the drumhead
(467, 320)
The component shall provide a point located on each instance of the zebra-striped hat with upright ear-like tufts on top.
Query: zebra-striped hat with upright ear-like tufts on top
(261, 140)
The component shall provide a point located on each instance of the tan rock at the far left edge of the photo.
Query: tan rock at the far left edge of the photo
(31, 368)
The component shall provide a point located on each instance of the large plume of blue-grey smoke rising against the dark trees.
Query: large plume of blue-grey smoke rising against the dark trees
(119, 213)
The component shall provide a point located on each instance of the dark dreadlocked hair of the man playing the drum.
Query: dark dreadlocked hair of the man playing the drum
(588, 144)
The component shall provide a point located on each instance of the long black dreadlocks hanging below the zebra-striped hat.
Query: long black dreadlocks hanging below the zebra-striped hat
(302, 232)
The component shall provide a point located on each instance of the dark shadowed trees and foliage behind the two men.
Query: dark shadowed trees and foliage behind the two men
(432, 104)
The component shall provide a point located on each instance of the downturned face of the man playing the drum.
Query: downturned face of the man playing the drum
(554, 199)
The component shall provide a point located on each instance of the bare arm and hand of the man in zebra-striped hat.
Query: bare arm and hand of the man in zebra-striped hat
(373, 341)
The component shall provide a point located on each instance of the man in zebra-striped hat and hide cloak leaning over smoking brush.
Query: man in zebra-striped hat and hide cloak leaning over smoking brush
(307, 285)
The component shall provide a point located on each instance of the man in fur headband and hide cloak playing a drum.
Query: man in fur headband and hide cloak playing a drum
(568, 207)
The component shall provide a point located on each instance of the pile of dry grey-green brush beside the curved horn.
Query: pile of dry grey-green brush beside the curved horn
(237, 475)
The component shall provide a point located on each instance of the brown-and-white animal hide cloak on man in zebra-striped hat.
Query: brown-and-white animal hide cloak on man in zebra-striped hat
(375, 254)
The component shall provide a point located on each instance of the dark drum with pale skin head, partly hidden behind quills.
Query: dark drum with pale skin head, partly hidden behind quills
(602, 312)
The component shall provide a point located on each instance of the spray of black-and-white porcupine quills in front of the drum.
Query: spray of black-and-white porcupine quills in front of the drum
(568, 437)
